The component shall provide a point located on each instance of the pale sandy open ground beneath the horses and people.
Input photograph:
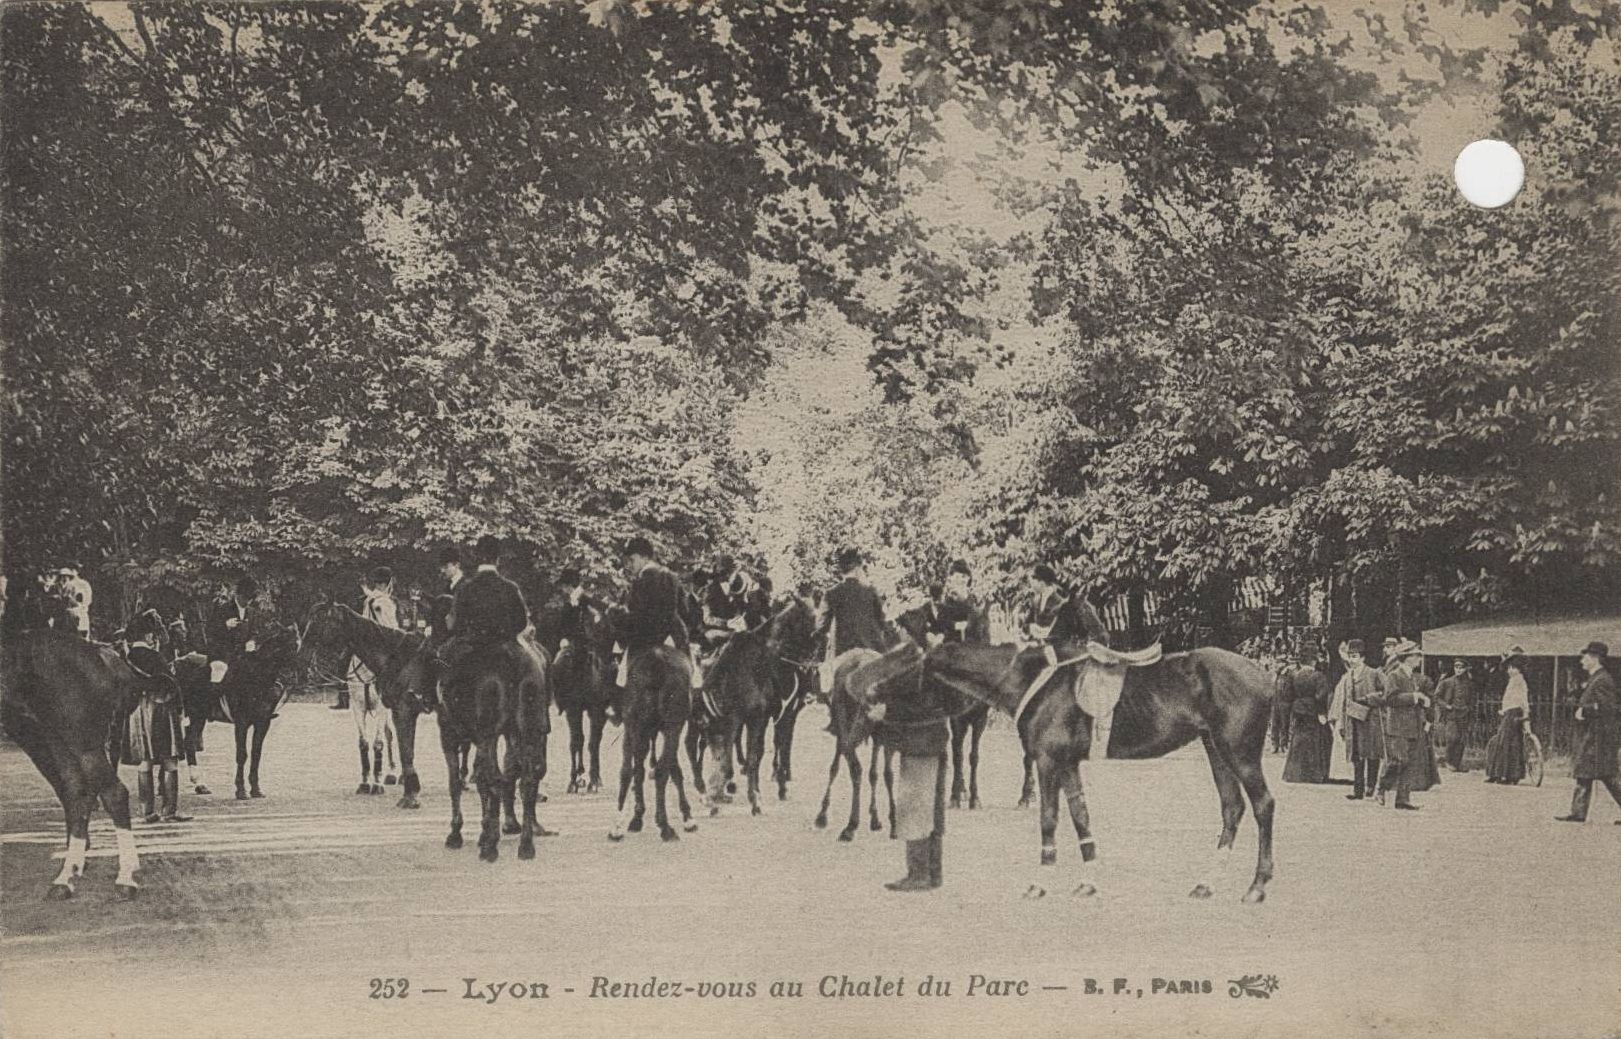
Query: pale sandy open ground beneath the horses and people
(1478, 917)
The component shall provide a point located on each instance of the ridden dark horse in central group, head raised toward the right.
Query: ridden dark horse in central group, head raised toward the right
(751, 683)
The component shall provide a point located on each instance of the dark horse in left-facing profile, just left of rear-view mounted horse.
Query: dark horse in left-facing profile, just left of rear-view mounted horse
(387, 654)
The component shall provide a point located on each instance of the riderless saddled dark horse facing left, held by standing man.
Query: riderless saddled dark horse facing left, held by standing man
(1208, 695)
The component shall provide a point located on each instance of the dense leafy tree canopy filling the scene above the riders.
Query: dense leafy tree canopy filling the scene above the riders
(1166, 296)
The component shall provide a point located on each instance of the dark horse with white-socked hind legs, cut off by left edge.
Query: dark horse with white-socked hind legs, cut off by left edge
(62, 701)
